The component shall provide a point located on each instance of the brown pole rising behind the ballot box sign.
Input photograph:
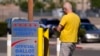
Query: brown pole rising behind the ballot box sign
(30, 10)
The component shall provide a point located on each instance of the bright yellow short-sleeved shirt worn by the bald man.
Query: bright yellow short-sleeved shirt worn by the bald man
(71, 23)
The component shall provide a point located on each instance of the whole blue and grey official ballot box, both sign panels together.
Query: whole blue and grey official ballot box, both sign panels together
(24, 38)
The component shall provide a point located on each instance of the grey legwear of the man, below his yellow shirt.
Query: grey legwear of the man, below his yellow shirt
(67, 49)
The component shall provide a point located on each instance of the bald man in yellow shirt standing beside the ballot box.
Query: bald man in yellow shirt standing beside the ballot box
(68, 27)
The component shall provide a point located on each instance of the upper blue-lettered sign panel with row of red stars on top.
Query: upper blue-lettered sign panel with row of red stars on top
(24, 29)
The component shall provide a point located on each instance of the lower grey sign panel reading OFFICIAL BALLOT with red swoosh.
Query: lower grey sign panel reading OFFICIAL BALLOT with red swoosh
(24, 47)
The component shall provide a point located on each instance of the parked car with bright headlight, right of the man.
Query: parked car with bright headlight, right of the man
(92, 33)
